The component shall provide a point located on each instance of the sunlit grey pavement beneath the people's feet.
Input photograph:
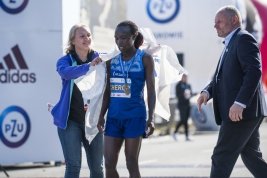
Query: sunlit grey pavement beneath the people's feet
(160, 156)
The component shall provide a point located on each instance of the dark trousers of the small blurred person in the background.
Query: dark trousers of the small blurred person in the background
(184, 115)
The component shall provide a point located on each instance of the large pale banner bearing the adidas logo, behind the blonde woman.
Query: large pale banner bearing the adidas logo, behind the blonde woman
(30, 45)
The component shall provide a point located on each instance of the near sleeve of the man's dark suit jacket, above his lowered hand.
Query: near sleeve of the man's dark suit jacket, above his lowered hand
(249, 58)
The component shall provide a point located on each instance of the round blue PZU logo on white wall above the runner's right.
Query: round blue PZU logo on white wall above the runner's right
(163, 11)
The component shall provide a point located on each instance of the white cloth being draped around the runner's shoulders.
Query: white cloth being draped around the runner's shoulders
(167, 71)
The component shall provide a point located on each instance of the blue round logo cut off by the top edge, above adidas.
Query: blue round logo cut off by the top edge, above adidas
(13, 6)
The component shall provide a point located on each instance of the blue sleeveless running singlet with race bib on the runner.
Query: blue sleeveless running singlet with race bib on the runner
(132, 105)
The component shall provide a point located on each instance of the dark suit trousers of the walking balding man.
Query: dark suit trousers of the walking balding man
(238, 138)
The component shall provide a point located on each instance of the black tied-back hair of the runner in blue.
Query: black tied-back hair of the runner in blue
(134, 30)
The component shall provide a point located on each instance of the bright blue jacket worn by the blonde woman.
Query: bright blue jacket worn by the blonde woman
(68, 70)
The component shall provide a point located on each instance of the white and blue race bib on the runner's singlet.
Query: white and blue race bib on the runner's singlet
(117, 87)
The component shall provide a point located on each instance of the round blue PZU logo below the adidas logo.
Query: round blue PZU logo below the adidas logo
(15, 126)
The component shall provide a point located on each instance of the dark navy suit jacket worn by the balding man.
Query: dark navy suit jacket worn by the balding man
(239, 79)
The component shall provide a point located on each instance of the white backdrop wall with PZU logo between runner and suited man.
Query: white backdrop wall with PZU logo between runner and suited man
(173, 23)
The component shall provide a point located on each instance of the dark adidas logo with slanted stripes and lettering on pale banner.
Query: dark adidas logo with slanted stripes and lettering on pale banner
(12, 74)
